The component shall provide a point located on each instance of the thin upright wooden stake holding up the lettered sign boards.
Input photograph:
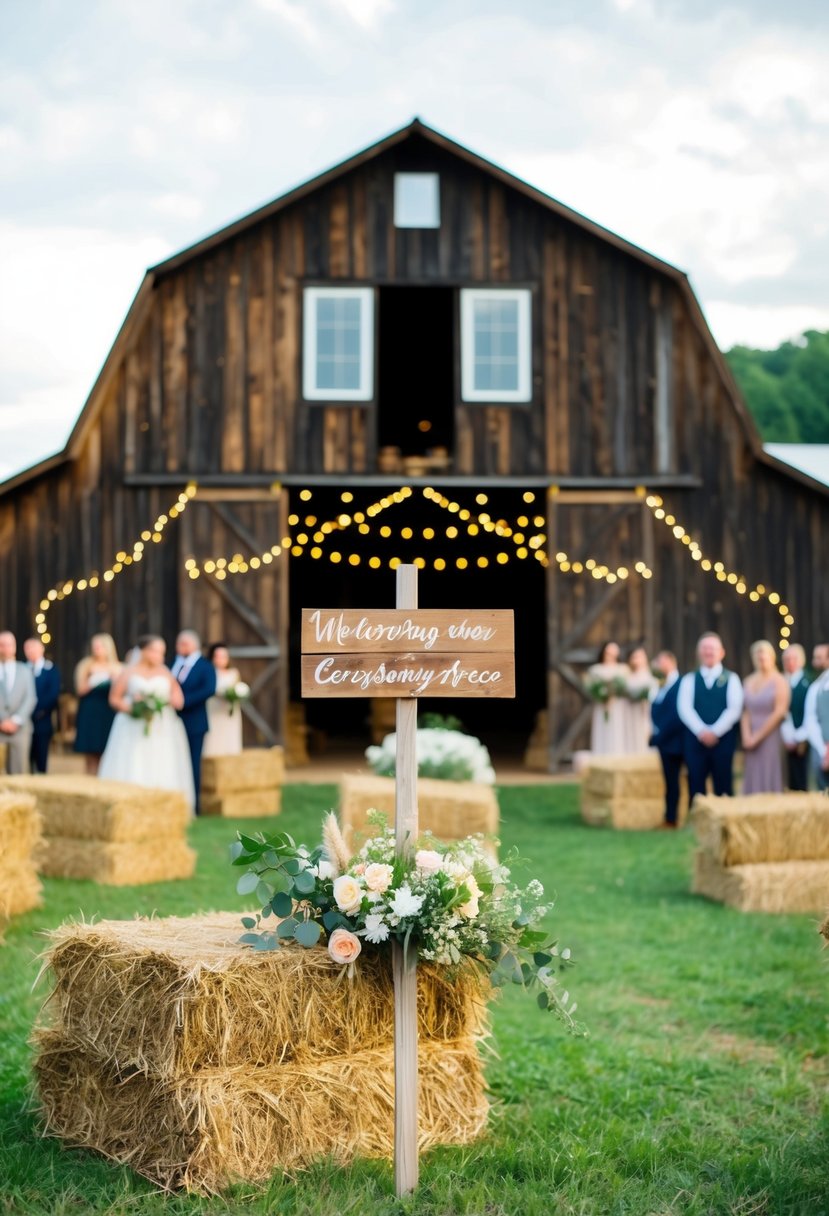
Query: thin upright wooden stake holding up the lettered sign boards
(405, 972)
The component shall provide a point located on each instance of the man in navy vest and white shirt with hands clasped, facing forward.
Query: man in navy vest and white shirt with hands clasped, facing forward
(710, 703)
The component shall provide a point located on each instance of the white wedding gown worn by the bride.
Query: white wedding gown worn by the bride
(159, 758)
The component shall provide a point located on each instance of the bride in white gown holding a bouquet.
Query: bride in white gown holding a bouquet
(154, 755)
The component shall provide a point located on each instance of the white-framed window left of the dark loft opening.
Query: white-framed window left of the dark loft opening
(339, 345)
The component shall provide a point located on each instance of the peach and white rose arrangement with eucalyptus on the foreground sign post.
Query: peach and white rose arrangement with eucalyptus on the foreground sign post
(449, 904)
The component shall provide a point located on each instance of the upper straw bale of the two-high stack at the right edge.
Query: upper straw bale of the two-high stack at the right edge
(764, 827)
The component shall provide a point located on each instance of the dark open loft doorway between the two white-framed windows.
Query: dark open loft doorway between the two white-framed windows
(415, 369)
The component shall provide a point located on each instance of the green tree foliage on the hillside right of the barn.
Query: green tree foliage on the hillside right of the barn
(787, 390)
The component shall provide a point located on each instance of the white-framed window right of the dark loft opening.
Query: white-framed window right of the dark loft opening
(495, 346)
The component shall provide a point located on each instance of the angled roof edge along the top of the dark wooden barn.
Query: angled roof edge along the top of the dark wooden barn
(415, 130)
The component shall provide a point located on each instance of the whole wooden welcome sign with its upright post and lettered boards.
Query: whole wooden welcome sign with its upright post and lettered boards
(408, 654)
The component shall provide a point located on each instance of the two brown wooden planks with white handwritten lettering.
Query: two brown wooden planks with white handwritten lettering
(396, 654)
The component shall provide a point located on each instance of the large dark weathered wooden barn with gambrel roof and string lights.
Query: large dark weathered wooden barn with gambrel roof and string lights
(416, 357)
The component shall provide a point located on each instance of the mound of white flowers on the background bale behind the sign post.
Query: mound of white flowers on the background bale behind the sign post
(443, 752)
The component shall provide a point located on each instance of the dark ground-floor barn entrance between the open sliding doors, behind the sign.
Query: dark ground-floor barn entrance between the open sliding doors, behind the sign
(517, 584)
